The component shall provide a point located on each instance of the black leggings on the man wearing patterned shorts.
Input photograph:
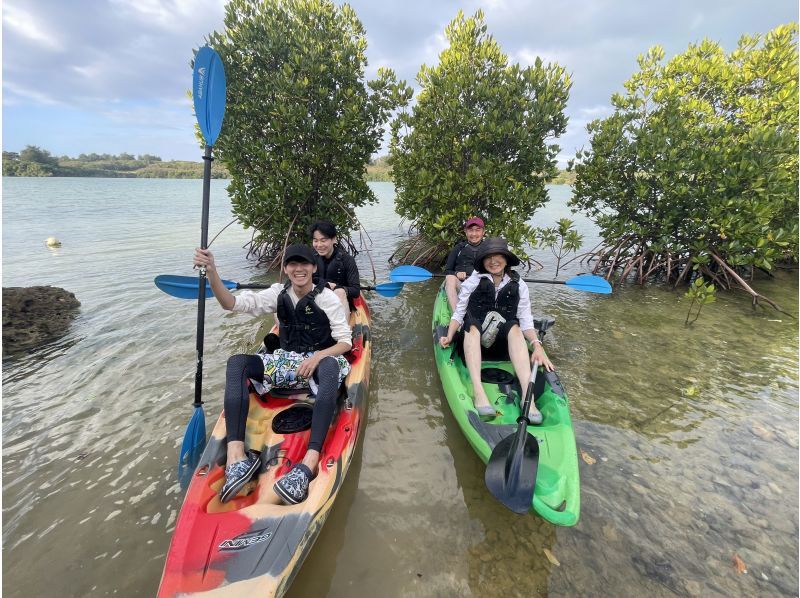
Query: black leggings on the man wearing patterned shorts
(237, 400)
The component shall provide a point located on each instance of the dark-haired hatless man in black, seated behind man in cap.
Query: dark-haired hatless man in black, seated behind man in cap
(334, 265)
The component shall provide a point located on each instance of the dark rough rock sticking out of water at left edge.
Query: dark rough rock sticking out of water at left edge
(33, 316)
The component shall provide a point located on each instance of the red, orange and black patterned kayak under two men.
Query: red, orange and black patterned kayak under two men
(251, 545)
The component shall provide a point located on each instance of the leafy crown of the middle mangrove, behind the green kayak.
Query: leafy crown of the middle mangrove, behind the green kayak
(475, 143)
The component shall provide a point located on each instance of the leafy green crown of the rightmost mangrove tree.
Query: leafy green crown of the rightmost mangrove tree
(698, 165)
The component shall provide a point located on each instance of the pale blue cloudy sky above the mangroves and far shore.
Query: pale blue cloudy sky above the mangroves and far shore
(111, 76)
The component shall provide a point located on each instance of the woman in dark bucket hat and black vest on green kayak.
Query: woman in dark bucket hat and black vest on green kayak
(495, 311)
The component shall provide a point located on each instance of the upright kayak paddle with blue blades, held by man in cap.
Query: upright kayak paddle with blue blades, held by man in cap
(208, 92)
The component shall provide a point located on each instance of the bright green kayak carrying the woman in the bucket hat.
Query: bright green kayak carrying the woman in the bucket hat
(556, 495)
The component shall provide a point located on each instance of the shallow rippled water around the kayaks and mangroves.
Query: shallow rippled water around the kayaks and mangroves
(694, 431)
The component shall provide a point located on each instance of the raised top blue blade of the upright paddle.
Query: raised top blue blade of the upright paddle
(208, 91)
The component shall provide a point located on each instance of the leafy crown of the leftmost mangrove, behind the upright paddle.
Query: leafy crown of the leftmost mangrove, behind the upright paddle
(301, 121)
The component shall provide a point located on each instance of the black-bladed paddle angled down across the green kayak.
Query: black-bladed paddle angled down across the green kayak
(511, 471)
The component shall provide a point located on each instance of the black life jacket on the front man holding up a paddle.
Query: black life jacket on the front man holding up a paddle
(304, 327)
